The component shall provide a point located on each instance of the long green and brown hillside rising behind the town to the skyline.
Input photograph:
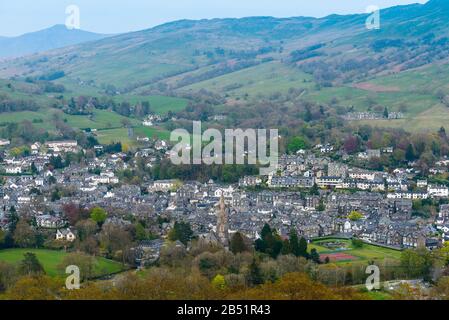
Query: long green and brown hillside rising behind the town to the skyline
(334, 60)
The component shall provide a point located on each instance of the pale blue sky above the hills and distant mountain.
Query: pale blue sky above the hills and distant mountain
(117, 16)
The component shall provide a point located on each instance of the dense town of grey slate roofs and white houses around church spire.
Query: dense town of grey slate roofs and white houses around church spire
(309, 192)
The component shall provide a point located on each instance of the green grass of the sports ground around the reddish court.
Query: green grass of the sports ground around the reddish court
(367, 253)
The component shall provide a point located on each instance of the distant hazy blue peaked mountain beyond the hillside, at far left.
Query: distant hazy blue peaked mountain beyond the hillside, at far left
(55, 37)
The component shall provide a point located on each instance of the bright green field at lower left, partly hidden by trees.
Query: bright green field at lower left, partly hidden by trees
(51, 259)
